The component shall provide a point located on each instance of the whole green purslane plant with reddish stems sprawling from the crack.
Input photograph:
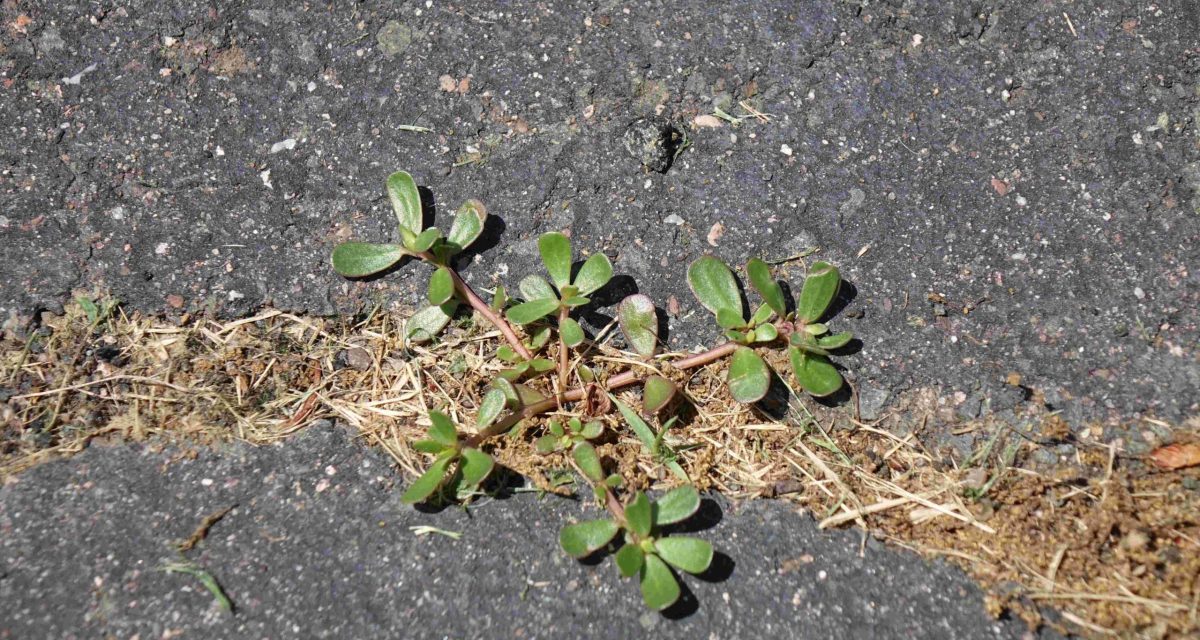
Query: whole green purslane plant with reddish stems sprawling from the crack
(460, 463)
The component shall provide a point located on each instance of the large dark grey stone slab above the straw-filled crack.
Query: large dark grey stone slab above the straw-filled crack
(1035, 165)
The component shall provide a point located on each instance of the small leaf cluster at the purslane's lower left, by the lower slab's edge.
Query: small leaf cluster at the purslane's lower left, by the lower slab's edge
(465, 466)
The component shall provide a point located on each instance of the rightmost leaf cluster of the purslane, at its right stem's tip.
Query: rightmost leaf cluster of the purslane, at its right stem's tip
(809, 346)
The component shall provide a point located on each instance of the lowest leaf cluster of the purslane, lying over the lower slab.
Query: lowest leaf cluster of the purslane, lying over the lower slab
(646, 552)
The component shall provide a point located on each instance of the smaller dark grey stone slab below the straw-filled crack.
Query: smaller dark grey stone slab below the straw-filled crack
(320, 547)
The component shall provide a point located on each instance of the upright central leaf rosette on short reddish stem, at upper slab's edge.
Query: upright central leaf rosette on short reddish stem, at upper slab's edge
(567, 294)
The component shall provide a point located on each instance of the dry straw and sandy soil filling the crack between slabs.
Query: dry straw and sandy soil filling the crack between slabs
(1109, 543)
